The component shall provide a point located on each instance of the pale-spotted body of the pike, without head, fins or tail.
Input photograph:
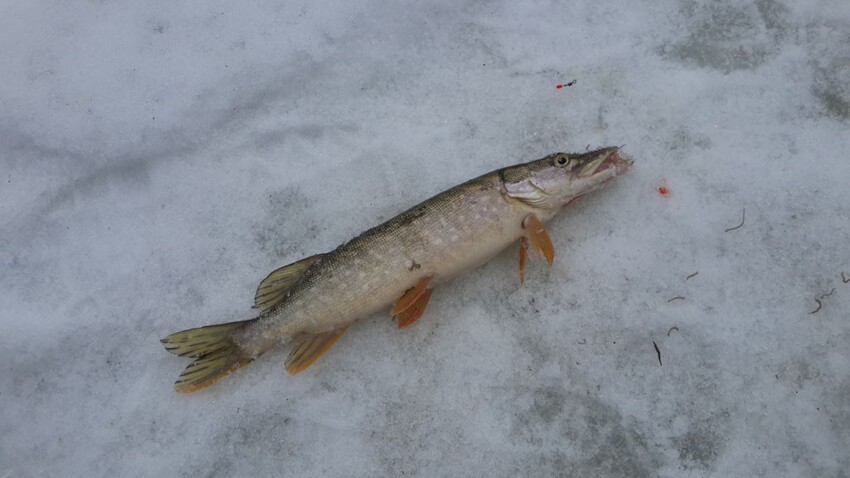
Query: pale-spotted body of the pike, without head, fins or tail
(441, 237)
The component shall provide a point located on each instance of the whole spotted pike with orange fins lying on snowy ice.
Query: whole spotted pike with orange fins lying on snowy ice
(396, 265)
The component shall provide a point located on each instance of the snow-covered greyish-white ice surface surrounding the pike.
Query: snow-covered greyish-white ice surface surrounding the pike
(160, 158)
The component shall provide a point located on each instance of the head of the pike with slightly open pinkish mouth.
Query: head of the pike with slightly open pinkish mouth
(555, 181)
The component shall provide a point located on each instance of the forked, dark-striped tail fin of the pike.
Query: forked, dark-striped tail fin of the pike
(215, 352)
